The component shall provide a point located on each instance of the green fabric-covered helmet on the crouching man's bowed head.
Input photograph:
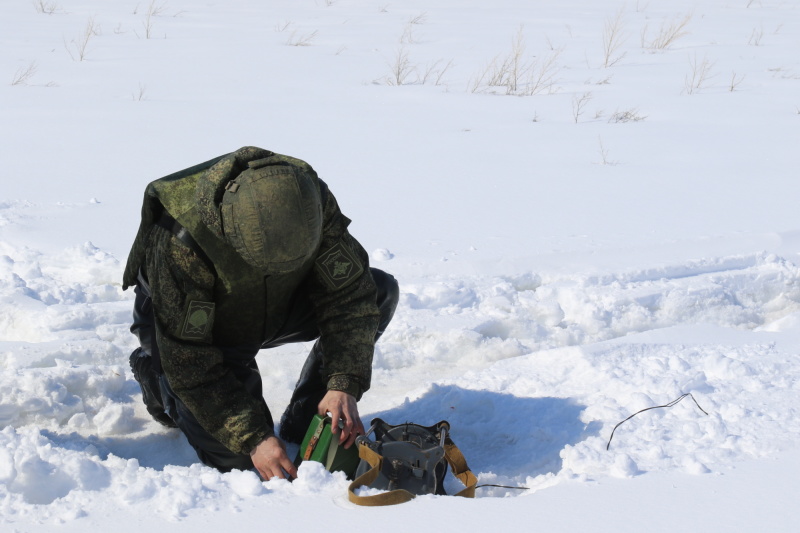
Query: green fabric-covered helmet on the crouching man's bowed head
(272, 216)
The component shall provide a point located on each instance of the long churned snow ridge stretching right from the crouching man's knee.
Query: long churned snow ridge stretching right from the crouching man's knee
(476, 320)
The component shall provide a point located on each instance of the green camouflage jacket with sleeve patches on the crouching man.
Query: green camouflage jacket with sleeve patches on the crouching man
(190, 299)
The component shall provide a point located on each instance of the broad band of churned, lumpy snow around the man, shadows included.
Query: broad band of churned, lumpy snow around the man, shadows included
(532, 374)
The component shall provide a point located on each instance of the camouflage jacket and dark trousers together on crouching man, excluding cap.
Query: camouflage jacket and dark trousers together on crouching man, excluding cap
(207, 326)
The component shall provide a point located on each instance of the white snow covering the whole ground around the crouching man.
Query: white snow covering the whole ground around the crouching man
(591, 208)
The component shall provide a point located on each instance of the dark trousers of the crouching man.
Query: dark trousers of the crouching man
(300, 326)
